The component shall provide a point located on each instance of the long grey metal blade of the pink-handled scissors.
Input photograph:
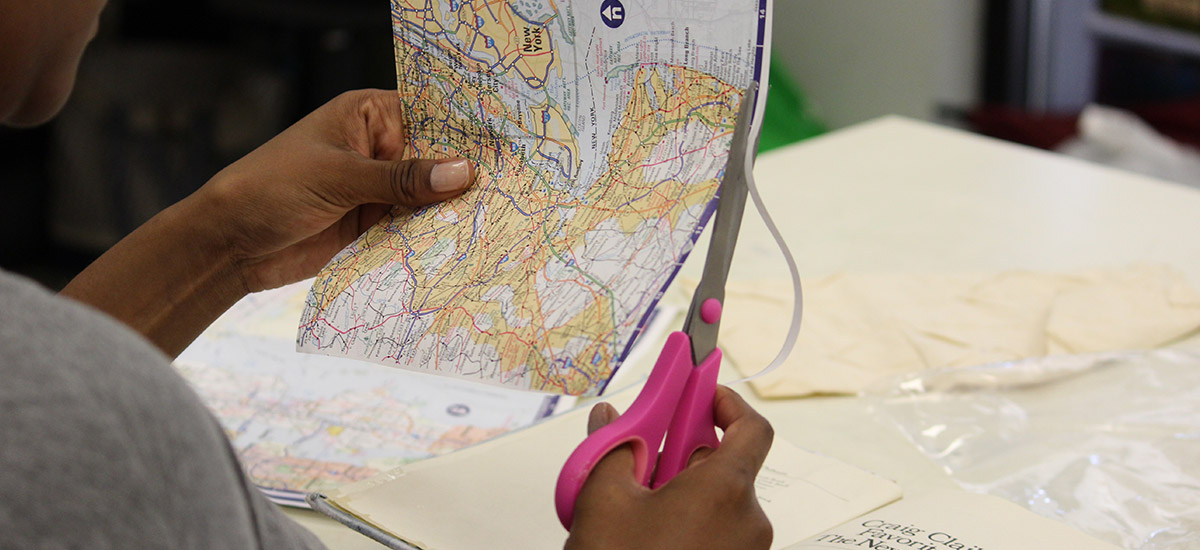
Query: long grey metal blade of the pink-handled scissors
(731, 204)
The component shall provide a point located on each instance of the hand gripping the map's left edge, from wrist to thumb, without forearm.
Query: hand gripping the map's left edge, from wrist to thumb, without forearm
(289, 207)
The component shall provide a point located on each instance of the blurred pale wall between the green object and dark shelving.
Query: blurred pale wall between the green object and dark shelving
(860, 59)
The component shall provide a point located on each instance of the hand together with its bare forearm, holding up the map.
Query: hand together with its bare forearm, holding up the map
(273, 218)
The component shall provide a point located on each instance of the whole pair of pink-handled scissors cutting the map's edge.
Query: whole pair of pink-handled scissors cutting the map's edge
(677, 400)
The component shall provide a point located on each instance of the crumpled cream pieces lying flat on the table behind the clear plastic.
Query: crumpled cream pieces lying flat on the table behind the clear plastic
(859, 328)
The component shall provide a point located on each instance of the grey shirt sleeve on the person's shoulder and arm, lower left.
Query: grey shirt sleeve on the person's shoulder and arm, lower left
(104, 445)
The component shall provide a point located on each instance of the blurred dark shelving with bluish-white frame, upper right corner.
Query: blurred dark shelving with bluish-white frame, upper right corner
(1045, 61)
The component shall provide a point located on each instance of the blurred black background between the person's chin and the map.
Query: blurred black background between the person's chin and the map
(166, 98)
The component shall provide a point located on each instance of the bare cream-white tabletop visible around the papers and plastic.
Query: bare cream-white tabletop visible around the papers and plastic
(896, 195)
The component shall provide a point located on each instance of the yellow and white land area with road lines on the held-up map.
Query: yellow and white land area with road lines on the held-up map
(501, 272)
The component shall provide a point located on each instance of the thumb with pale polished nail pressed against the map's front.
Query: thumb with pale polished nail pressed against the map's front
(421, 182)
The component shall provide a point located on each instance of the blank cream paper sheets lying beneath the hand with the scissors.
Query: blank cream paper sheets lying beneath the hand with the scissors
(501, 494)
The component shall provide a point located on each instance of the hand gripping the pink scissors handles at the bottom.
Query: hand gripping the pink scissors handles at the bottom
(711, 505)
